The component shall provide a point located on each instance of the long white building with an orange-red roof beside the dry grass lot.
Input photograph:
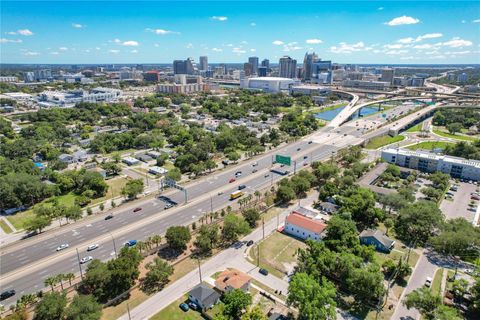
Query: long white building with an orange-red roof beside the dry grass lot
(304, 227)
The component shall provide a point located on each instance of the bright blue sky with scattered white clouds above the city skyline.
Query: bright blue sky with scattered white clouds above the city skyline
(230, 31)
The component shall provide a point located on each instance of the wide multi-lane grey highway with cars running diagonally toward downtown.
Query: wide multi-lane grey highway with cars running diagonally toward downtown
(25, 266)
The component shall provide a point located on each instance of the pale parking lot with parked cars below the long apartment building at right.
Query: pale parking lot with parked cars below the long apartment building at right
(458, 205)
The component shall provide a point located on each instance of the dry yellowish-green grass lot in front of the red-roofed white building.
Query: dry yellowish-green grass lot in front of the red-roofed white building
(276, 253)
